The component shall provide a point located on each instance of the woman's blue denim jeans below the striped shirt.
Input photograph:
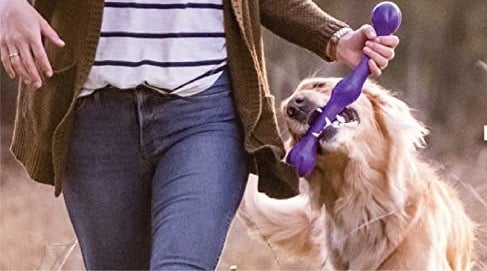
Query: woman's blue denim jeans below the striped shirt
(154, 181)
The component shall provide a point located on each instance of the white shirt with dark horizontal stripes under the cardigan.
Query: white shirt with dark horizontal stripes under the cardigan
(172, 46)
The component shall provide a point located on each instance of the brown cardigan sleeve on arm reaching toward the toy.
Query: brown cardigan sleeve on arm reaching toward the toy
(301, 22)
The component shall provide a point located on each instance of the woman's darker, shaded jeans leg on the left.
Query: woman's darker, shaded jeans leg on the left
(107, 186)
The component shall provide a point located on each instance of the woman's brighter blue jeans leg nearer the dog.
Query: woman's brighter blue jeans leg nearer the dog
(199, 180)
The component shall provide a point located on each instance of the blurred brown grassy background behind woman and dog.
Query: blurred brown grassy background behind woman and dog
(440, 69)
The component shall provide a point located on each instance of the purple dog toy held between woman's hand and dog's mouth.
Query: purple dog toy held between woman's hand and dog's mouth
(386, 18)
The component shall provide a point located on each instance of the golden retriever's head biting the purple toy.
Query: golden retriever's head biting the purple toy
(375, 121)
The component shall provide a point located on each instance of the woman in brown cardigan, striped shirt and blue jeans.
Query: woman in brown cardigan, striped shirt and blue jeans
(153, 113)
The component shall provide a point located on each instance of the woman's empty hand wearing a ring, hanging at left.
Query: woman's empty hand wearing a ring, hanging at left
(21, 49)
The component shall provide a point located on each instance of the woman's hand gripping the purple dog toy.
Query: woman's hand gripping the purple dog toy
(365, 41)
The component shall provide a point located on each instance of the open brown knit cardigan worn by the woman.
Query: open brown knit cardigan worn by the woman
(44, 117)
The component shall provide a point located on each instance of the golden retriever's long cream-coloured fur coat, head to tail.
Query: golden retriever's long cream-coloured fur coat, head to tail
(371, 202)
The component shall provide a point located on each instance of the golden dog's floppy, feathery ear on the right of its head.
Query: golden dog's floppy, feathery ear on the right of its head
(398, 121)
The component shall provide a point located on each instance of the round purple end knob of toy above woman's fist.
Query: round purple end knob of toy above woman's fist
(386, 18)
